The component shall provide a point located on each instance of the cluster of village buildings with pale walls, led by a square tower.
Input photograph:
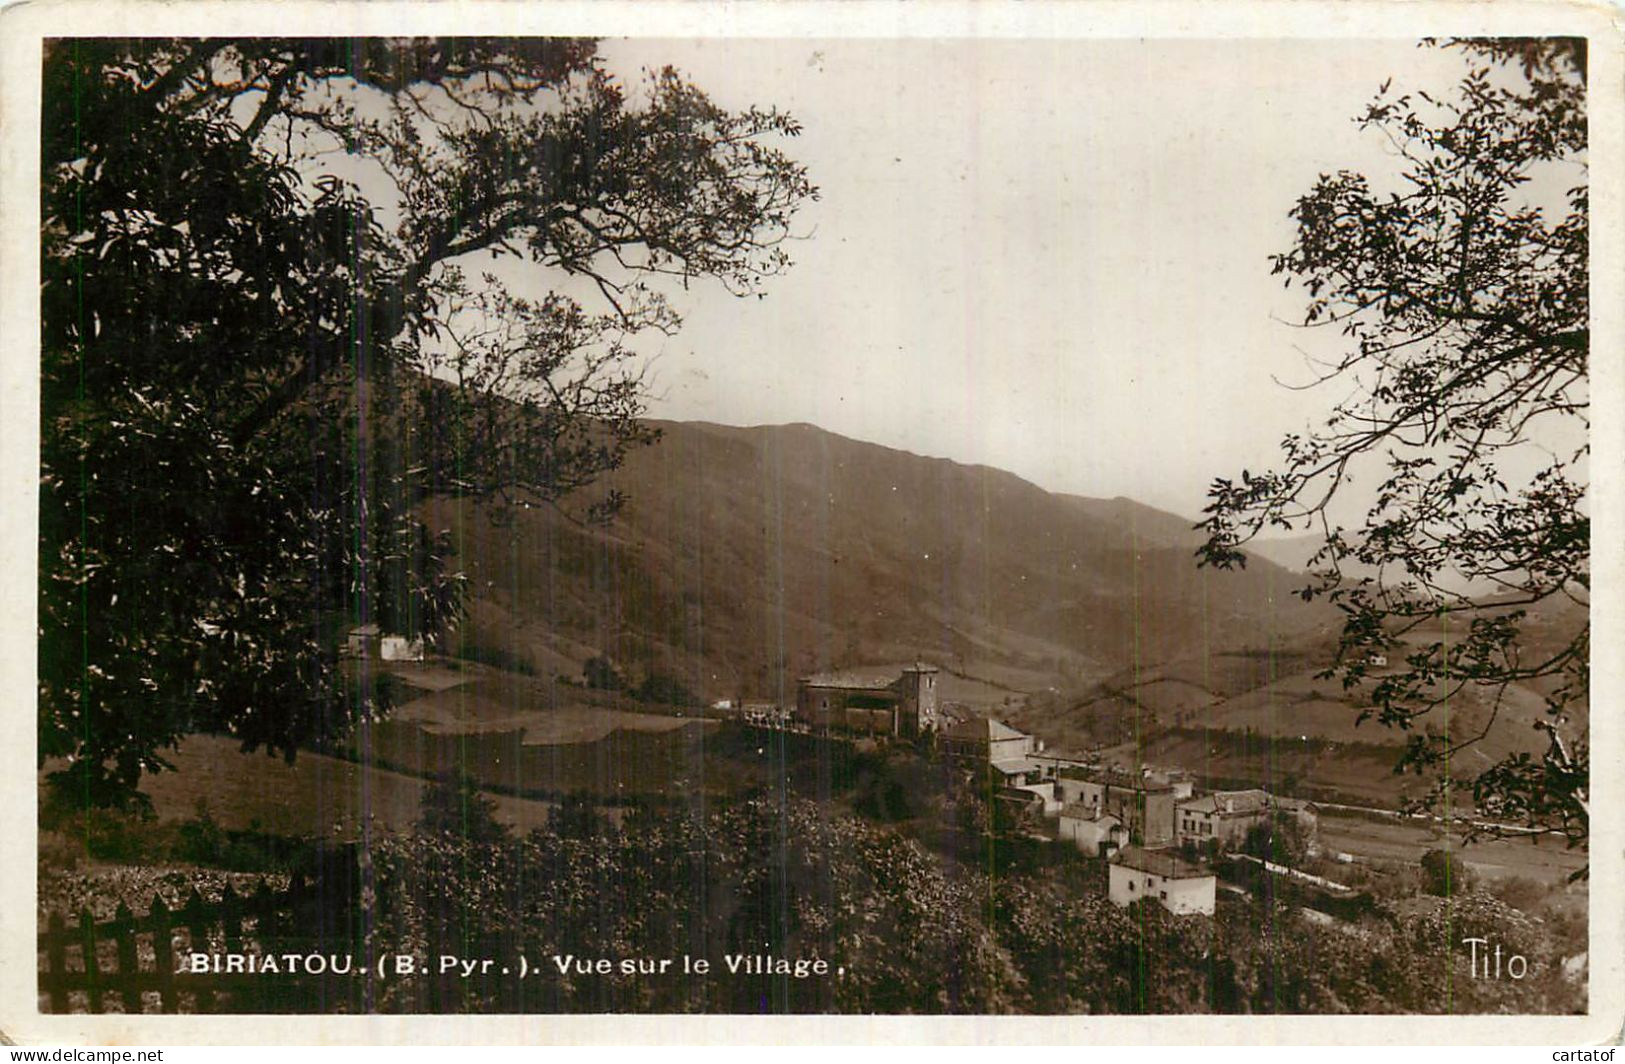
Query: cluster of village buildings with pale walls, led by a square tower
(1163, 837)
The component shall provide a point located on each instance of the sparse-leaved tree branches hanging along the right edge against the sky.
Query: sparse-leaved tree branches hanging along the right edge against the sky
(1460, 292)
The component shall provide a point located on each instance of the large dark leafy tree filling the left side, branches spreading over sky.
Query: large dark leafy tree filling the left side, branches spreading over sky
(264, 344)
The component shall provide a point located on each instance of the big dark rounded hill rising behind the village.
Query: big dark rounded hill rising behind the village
(747, 558)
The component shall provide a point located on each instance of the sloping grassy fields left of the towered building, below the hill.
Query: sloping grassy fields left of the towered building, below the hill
(526, 740)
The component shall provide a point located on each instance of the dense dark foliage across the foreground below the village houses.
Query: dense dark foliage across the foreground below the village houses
(904, 930)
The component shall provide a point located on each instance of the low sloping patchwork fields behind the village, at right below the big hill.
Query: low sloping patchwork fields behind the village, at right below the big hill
(1265, 716)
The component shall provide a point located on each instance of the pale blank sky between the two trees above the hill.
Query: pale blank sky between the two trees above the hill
(1042, 256)
